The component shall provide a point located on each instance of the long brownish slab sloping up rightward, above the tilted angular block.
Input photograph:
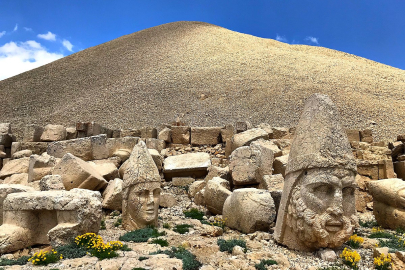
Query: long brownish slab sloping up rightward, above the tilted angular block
(88, 148)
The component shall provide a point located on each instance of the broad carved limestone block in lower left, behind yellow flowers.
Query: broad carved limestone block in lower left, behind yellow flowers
(48, 217)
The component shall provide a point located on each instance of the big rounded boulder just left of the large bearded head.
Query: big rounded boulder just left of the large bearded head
(249, 210)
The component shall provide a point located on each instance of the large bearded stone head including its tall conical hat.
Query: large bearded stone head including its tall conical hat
(317, 207)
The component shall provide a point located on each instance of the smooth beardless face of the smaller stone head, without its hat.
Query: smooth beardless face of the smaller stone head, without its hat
(142, 205)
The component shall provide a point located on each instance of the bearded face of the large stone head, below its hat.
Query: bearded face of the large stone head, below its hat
(321, 210)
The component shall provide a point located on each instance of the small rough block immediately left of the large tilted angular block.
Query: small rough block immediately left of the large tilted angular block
(39, 166)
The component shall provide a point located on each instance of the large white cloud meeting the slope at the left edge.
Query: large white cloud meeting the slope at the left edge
(16, 58)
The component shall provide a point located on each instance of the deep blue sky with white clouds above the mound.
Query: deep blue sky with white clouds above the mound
(33, 33)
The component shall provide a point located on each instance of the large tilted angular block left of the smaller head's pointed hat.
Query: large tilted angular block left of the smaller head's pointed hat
(76, 173)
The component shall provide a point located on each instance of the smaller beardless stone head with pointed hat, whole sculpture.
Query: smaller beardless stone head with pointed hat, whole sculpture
(141, 190)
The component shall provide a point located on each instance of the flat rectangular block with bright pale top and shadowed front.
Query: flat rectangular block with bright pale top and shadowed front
(193, 164)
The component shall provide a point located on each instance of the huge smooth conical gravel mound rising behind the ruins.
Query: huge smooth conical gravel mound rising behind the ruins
(152, 76)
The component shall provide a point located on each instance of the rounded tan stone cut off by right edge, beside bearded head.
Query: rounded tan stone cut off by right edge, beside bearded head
(388, 202)
